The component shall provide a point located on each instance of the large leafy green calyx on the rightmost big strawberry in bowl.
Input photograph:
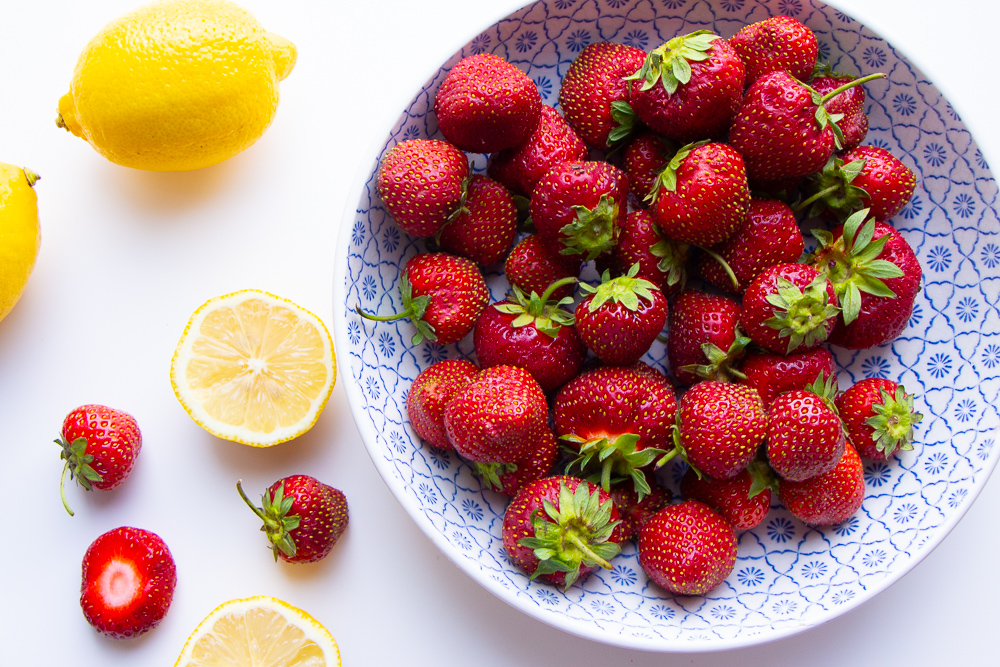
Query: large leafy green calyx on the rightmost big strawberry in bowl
(851, 263)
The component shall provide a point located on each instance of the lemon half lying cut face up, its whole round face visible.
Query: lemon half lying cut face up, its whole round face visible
(254, 368)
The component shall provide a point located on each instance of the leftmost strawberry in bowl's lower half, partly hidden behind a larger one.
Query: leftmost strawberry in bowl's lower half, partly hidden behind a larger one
(430, 392)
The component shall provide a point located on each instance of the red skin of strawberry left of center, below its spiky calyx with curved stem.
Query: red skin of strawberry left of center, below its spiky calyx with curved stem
(552, 361)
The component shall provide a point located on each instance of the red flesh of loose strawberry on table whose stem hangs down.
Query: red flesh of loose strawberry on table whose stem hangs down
(113, 439)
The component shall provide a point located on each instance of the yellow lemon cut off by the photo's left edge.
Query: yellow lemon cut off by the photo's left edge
(19, 233)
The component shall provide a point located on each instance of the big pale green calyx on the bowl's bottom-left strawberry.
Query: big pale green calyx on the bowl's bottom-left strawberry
(575, 535)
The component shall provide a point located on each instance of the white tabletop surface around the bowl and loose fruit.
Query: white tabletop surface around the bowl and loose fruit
(127, 256)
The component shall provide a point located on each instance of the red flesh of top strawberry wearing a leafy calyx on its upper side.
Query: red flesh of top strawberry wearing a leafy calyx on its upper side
(700, 109)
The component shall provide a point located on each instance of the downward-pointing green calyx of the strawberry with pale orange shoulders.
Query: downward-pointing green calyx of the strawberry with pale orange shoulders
(606, 461)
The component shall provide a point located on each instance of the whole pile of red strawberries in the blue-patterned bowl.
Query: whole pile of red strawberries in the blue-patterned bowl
(693, 164)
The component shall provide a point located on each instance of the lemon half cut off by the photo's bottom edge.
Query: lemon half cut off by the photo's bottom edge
(259, 632)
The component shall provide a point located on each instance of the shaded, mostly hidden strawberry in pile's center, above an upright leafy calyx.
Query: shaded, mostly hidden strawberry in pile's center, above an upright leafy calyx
(661, 261)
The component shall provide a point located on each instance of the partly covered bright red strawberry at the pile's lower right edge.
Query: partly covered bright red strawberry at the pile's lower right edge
(829, 498)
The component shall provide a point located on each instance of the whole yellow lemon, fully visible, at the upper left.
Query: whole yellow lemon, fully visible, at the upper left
(176, 85)
